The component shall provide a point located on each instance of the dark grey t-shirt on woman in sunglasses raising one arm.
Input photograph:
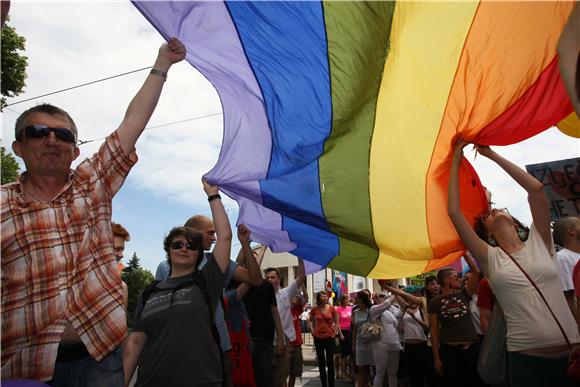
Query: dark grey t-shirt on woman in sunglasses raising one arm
(180, 348)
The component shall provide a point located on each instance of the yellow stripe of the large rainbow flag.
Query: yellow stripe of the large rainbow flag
(427, 39)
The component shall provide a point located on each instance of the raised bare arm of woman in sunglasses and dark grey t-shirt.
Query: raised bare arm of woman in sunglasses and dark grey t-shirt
(223, 244)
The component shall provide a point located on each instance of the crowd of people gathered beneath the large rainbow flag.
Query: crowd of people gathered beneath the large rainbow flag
(210, 321)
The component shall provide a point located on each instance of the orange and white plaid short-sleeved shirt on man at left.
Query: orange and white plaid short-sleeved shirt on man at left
(58, 266)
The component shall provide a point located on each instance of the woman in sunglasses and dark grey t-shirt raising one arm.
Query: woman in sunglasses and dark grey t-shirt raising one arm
(173, 339)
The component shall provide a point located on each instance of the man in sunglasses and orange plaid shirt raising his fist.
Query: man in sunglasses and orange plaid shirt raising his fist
(62, 307)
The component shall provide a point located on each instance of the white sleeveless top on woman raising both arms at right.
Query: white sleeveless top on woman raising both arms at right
(529, 322)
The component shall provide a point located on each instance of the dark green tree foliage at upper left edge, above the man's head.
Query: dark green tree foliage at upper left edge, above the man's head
(13, 64)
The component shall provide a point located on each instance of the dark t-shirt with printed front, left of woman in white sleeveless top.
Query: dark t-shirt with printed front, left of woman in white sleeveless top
(454, 317)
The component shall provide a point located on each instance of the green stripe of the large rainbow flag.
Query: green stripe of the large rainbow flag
(358, 37)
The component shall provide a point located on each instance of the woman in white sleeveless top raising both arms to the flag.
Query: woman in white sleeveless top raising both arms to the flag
(537, 350)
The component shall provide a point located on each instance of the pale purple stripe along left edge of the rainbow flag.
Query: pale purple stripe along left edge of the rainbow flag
(213, 47)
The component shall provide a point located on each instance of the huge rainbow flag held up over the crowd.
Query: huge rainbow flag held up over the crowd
(339, 116)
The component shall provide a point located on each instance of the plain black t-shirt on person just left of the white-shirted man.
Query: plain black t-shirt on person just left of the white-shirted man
(258, 302)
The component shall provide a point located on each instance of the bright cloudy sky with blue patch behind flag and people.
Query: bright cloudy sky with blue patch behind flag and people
(72, 43)
